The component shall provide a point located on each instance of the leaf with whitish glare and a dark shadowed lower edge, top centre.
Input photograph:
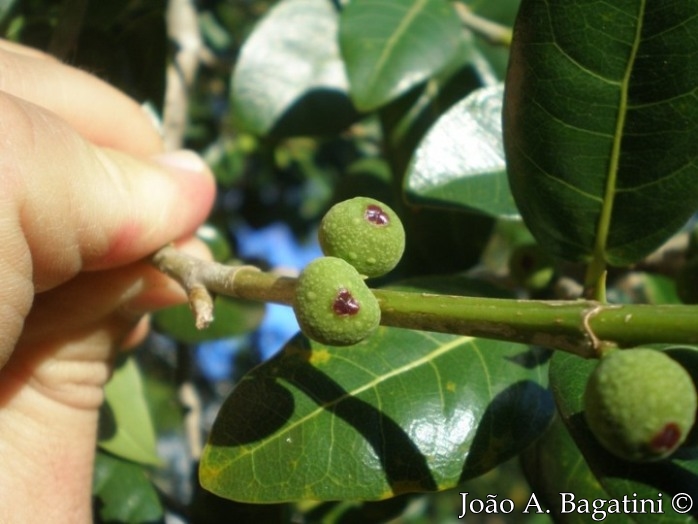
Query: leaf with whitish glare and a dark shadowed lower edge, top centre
(289, 79)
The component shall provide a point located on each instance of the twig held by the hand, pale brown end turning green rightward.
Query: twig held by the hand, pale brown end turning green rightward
(584, 327)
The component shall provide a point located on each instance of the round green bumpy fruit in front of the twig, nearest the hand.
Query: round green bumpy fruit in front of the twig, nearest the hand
(333, 304)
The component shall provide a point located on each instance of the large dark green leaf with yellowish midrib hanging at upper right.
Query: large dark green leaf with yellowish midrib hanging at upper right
(601, 123)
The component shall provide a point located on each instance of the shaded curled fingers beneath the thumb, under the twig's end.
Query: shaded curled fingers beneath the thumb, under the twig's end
(74, 331)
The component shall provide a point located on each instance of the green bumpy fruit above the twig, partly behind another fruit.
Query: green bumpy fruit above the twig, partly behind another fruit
(364, 232)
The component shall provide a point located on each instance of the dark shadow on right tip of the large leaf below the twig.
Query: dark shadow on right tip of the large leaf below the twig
(509, 424)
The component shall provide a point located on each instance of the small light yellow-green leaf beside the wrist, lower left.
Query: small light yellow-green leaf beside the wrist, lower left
(125, 424)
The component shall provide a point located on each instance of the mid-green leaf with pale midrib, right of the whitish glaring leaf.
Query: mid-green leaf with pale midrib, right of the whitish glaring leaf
(390, 46)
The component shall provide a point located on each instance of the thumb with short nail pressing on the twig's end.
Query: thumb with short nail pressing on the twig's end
(75, 206)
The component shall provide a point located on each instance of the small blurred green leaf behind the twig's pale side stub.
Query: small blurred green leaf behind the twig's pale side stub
(232, 317)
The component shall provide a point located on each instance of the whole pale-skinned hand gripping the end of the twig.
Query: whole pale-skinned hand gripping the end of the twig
(85, 196)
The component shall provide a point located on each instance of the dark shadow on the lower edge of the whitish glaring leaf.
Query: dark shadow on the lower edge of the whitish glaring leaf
(320, 111)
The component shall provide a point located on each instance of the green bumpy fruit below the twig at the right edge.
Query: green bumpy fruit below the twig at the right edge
(640, 404)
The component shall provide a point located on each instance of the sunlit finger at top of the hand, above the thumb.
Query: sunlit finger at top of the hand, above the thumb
(101, 113)
